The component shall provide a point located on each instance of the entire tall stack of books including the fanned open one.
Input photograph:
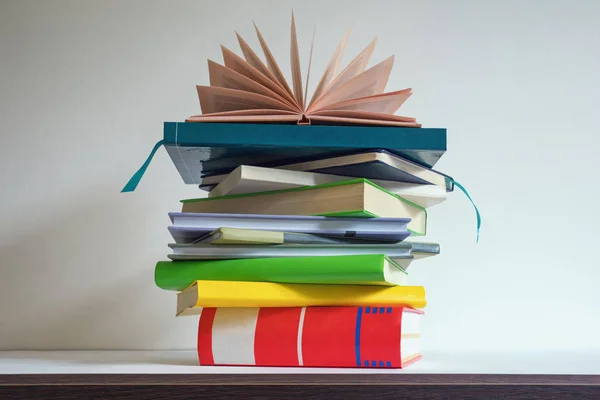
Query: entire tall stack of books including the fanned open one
(298, 253)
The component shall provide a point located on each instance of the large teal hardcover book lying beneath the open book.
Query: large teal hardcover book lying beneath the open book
(204, 149)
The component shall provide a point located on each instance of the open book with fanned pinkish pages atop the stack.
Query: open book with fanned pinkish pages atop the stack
(248, 90)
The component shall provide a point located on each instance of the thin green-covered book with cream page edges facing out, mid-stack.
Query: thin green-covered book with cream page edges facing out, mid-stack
(350, 198)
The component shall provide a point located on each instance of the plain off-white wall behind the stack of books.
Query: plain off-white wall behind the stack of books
(86, 86)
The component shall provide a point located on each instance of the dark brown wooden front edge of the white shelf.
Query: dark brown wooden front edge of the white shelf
(298, 386)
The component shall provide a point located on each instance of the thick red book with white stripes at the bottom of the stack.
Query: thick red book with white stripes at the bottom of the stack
(354, 337)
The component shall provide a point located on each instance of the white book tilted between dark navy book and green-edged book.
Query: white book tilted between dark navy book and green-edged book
(249, 179)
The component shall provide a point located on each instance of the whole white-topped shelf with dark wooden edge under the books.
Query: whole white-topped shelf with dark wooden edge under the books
(159, 375)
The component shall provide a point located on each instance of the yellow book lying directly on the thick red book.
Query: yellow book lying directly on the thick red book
(266, 294)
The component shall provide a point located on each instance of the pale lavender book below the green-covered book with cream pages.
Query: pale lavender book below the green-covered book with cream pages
(190, 227)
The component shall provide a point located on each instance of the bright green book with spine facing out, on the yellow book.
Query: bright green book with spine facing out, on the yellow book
(375, 269)
